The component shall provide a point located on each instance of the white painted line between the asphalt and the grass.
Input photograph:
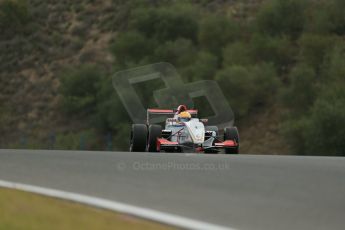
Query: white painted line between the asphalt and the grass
(145, 213)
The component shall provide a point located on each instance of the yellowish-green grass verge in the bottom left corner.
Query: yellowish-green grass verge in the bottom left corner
(22, 210)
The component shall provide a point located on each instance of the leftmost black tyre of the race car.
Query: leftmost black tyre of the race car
(138, 138)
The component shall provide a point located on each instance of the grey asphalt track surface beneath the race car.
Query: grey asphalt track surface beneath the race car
(239, 191)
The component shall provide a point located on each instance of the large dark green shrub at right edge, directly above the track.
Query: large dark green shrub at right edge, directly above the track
(316, 121)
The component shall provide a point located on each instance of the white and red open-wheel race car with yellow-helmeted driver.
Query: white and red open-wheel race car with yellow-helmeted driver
(183, 132)
